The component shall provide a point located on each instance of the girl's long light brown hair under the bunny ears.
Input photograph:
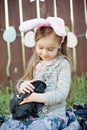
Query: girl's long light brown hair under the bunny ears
(42, 32)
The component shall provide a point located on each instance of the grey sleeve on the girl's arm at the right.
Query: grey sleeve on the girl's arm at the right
(63, 85)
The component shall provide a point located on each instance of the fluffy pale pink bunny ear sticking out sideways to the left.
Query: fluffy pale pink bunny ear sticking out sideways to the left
(31, 24)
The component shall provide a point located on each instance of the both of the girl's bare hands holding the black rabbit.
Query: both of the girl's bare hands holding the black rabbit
(26, 86)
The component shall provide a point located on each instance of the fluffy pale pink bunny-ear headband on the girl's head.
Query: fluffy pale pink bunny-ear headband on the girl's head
(56, 23)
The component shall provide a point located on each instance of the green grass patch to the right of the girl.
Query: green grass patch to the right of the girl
(78, 94)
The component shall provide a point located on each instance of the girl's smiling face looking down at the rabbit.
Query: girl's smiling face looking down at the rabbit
(47, 48)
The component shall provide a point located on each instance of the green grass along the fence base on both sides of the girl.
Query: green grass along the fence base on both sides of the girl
(78, 94)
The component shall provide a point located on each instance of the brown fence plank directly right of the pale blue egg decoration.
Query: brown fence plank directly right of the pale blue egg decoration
(16, 67)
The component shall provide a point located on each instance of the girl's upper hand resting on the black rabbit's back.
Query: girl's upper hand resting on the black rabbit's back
(26, 86)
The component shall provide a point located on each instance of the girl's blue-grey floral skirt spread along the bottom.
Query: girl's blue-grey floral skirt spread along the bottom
(44, 123)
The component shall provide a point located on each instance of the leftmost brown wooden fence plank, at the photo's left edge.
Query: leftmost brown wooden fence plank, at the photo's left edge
(3, 47)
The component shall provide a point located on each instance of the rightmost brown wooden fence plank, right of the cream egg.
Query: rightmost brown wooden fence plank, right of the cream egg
(80, 28)
